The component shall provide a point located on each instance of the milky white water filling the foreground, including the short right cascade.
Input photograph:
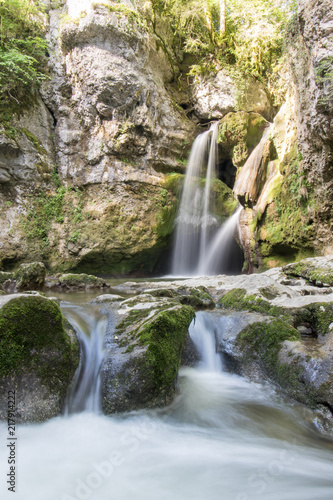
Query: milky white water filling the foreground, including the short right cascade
(223, 438)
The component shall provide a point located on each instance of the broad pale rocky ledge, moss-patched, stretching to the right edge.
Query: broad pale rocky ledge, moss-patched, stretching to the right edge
(285, 335)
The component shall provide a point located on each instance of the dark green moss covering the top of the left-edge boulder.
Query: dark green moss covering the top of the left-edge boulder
(32, 335)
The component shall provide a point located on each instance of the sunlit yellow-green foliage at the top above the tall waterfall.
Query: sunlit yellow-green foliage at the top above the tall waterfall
(251, 43)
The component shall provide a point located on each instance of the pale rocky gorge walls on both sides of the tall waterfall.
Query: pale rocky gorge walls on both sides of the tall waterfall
(90, 175)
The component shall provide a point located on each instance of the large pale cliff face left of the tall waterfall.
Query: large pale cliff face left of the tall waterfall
(82, 174)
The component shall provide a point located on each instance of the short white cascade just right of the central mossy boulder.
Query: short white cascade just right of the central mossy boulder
(202, 333)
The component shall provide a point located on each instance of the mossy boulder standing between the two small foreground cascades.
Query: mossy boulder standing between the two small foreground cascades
(145, 353)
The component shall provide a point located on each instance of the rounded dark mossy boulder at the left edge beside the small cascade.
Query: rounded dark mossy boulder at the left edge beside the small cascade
(39, 354)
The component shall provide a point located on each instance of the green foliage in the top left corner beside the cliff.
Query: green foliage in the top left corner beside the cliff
(23, 52)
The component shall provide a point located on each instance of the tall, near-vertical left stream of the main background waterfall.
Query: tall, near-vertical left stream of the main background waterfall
(196, 225)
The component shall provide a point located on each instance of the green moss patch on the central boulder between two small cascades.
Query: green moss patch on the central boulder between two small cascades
(165, 337)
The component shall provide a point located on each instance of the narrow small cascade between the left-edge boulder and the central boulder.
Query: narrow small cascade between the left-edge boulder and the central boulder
(90, 328)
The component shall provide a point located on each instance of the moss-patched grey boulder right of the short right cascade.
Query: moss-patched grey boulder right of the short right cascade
(273, 346)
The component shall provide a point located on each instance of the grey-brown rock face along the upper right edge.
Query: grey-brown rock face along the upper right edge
(312, 52)
